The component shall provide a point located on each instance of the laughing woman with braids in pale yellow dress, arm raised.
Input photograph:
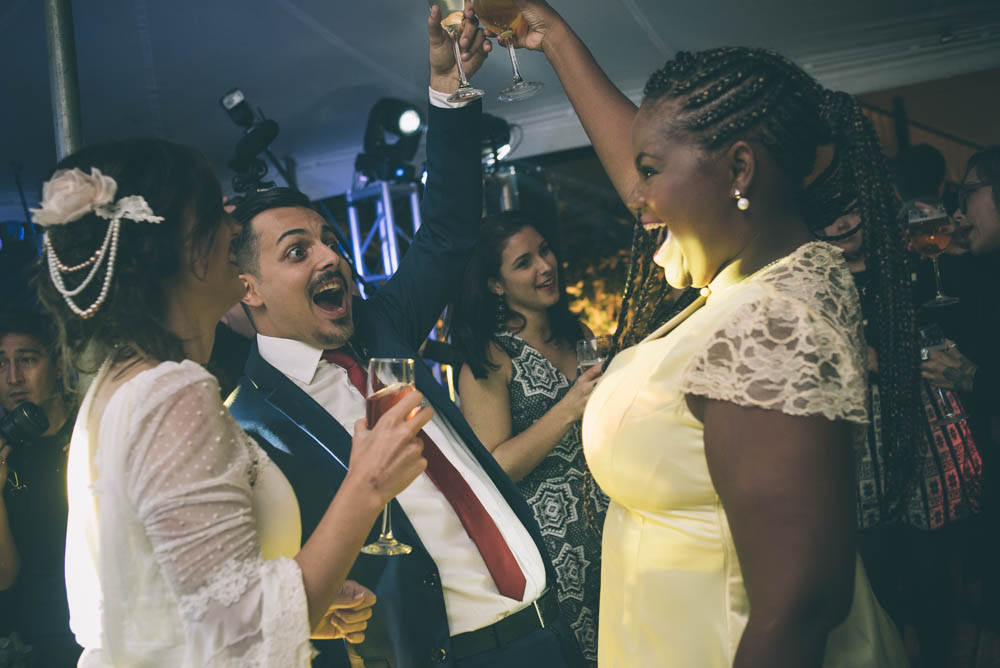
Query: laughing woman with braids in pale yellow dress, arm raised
(725, 437)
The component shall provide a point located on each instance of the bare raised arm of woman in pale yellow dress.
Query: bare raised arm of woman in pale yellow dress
(604, 111)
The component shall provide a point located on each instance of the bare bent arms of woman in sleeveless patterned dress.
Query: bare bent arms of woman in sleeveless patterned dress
(486, 406)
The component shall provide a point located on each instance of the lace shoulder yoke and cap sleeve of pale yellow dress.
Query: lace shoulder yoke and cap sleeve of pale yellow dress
(793, 342)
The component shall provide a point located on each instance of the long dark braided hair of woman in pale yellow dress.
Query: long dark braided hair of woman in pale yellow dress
(728, 94)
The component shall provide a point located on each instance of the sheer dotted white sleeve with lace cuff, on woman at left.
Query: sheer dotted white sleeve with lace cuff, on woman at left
(189, 471)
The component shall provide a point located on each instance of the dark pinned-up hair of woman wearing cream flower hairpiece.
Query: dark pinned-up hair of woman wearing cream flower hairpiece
(178, 184)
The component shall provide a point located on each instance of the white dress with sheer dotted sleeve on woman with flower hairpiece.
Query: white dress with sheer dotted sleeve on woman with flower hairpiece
(173, 509)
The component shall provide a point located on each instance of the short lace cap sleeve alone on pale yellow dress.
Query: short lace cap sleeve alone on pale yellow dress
(776, 353)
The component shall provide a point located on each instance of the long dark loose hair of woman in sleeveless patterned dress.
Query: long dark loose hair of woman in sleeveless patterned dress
(472, 319)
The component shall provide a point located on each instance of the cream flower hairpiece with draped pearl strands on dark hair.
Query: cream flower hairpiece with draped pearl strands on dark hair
(67, 197)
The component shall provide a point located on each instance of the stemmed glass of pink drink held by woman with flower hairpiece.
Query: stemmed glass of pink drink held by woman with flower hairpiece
(389, 380)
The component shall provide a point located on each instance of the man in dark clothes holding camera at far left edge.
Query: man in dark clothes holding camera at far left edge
(33, 504)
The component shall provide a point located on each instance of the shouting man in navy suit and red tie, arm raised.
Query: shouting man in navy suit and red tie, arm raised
(475, 590)
